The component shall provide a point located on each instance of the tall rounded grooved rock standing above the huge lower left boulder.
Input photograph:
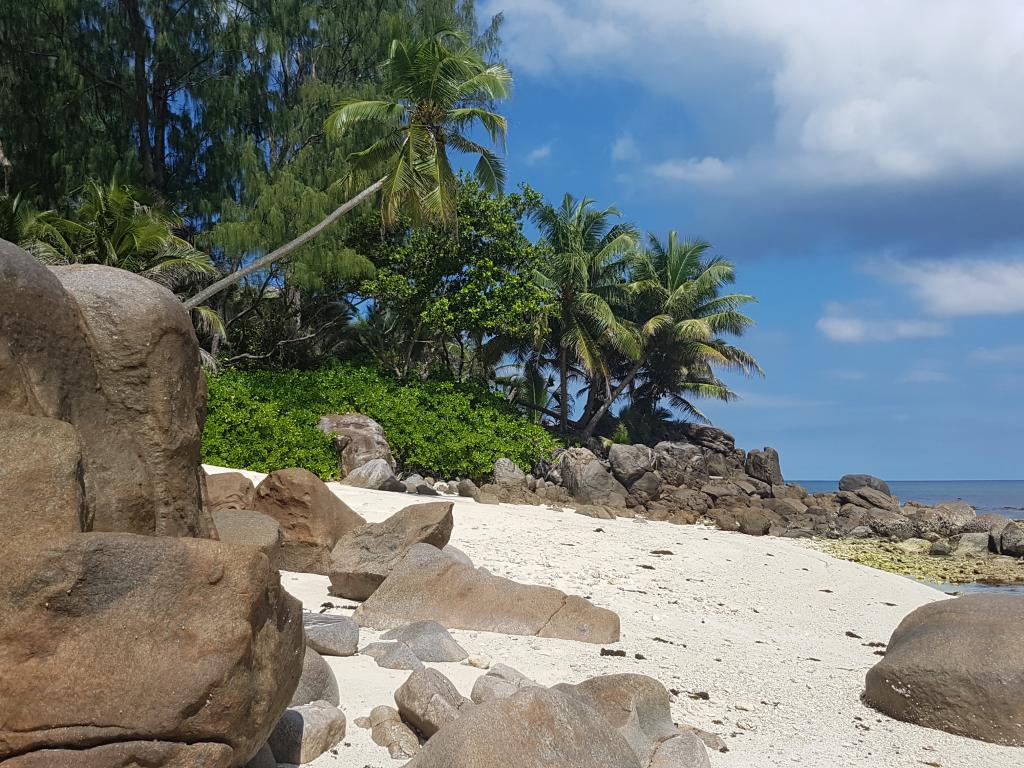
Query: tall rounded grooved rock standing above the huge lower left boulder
(115, 356)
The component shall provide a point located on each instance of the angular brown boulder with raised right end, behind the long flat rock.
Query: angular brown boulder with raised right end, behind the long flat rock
(364, 558)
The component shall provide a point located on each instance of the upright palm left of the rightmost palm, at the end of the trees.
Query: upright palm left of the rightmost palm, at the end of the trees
(585, 272)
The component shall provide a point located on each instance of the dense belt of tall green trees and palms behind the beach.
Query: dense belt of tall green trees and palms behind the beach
(191, 141)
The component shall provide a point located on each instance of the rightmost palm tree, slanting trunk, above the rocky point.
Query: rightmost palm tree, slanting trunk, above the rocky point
(680, 317)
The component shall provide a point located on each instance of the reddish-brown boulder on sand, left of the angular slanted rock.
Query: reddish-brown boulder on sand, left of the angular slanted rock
(312, 519)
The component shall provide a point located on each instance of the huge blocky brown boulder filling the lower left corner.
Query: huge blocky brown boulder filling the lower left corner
(113, 638)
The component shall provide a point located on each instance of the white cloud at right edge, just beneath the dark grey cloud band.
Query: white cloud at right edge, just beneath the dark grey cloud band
(963, 286)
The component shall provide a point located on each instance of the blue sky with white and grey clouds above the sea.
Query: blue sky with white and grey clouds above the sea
(860, 162)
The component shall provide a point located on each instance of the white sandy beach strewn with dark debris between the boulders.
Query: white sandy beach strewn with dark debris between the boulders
(762, 626)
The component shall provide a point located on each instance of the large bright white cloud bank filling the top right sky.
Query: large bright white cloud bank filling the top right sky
(857, 93)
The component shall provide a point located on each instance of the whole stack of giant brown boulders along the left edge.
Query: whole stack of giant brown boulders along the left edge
(129, 635)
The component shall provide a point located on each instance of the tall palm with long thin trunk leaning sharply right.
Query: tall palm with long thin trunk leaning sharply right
(436, 91)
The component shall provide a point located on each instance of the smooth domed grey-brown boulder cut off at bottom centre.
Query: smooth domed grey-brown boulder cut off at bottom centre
(530, 729)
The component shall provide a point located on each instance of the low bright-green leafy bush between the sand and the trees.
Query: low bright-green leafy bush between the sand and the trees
(266, 420)
